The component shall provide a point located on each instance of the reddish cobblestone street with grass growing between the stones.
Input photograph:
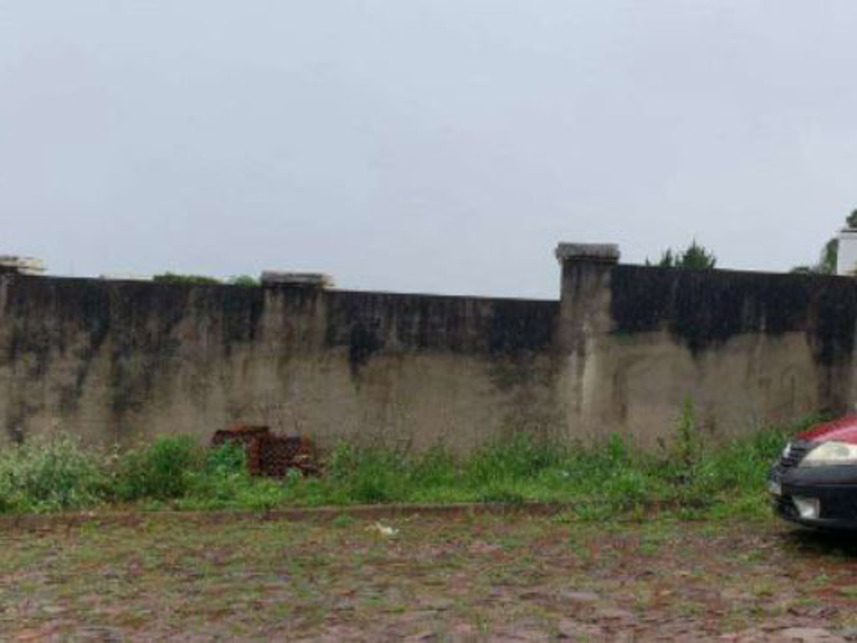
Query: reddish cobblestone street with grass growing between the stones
(426, 579)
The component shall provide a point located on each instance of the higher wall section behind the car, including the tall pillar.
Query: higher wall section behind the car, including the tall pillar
(745, 348)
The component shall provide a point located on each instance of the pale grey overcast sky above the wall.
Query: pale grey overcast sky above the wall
(422, 145)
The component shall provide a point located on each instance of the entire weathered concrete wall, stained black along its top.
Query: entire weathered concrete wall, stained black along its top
(620, 352)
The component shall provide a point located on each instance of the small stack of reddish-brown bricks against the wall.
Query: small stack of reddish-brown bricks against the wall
(269, 454)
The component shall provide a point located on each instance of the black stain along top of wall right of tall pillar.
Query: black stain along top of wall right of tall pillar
(703, 309)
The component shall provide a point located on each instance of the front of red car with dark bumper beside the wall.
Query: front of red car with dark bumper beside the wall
(815, 481)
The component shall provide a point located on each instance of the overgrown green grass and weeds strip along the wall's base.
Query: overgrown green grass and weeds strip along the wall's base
(685, 478)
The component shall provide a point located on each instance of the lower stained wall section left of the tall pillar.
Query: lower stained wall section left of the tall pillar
(121, 361)
